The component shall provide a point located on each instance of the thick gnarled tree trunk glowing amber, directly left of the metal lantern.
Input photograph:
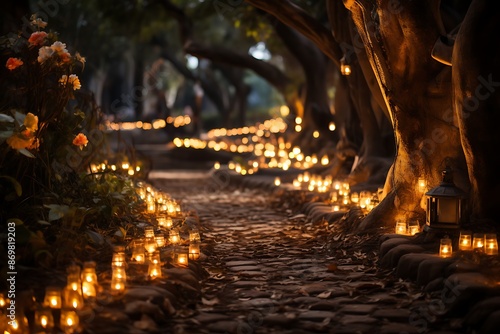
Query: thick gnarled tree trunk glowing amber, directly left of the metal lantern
(399, 41)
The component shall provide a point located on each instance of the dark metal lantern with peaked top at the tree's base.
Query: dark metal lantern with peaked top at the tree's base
(445, 204)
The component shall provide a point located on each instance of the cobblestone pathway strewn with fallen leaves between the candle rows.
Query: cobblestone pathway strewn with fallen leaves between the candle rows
(271, 271)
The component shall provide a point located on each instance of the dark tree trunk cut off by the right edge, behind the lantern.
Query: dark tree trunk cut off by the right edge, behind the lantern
(476, 79)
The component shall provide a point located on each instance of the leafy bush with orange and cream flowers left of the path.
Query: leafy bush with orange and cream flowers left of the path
(49, 134)
